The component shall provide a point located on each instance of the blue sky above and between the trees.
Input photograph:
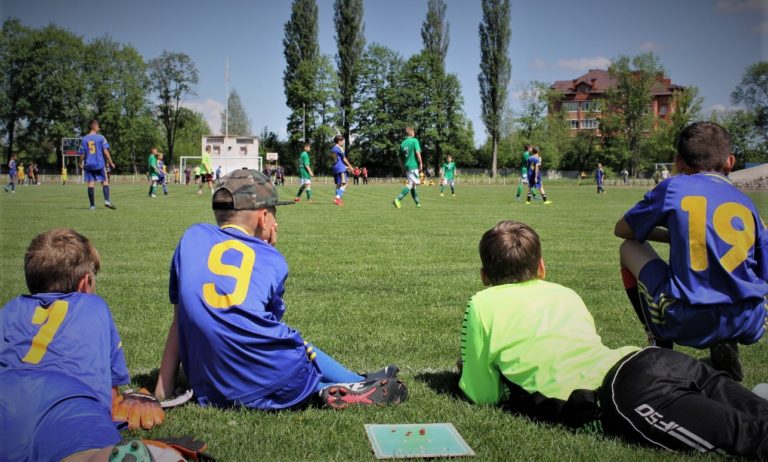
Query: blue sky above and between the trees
(705, 43)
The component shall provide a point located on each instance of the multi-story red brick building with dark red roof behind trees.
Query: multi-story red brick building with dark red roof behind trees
(582, 95)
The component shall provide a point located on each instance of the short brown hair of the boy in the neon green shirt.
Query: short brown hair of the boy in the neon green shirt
(510, 253)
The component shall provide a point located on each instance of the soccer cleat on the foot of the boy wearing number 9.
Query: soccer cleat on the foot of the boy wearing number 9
(378, 392)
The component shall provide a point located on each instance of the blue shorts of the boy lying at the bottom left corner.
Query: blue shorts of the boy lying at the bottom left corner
(47, 415)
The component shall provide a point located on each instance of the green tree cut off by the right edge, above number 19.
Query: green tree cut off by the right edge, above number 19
(752, 93)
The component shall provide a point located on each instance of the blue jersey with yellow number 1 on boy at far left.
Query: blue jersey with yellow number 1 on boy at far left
(72, 334)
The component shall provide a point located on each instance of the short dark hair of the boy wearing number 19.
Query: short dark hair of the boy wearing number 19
(704, 146)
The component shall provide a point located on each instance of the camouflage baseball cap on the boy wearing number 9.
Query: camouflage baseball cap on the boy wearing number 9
(250, 190)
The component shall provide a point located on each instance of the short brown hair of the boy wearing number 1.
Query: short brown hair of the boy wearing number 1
(57, 260)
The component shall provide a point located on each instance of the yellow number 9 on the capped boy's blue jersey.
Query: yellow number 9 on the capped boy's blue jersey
(241, 274)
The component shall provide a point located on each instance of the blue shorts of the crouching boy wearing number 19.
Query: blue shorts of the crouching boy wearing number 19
(697, 326)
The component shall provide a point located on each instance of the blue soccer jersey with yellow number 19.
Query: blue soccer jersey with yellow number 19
(718, 243)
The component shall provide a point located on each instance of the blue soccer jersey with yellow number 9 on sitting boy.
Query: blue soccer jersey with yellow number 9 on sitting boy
(228, 286)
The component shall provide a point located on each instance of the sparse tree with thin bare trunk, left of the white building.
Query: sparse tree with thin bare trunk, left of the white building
(172, 78)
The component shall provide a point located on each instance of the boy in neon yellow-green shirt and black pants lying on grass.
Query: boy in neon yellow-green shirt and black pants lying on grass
(531, 346)
